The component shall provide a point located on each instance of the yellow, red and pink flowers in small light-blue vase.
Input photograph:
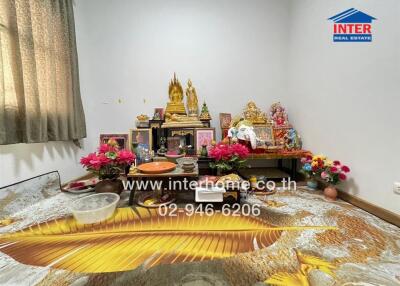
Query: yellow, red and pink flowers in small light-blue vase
(312, 166)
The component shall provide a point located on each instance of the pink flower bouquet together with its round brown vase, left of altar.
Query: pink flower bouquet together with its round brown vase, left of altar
(108, 163)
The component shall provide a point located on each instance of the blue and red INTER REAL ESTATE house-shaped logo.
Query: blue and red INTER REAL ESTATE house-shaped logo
(352, 26)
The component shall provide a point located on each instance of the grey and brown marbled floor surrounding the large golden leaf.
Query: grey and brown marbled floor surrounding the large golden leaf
(363, 250)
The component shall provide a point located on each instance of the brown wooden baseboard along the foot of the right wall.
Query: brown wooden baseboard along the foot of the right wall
(382, 213)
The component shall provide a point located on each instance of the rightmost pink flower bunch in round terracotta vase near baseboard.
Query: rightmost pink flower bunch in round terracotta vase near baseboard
(333, 174)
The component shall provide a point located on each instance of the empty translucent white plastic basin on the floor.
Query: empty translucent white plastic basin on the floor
(94, 208)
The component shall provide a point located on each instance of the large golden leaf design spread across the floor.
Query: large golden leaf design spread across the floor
(132, 237)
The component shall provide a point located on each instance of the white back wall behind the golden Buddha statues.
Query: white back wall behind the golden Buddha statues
(233, 51)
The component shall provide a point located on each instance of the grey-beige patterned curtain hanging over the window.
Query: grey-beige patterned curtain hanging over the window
(39, 81)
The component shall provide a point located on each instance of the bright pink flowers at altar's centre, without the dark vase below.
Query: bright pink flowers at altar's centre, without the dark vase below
(228, 157)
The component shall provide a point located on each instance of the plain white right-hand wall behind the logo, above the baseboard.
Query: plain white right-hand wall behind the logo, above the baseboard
(345, 97)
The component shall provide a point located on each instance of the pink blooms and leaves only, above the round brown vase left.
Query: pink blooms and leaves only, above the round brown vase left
(109, 161)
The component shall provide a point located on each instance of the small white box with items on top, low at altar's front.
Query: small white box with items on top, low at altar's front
(208, 191)
